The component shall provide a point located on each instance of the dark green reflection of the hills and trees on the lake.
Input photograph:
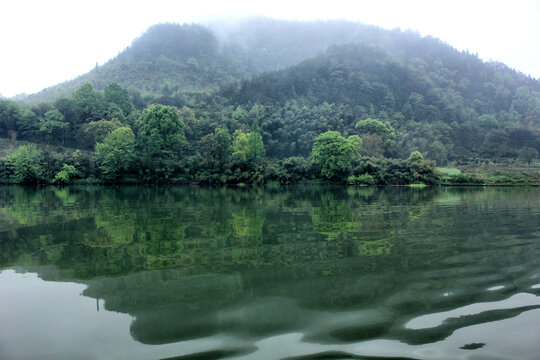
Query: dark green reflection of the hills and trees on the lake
(338, 265)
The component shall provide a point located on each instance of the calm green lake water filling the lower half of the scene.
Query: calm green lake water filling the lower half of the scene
(299, 273)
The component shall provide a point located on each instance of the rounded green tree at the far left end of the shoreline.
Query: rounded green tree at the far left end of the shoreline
(25, 164)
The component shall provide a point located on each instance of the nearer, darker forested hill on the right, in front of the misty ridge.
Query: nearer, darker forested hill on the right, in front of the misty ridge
(450, 105)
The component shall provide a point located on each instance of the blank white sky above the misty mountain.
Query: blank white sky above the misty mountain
(45, 42)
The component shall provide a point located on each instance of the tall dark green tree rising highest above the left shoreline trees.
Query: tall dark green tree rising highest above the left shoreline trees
(161, 132)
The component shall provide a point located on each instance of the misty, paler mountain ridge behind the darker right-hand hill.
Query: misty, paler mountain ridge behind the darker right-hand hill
(173, 58)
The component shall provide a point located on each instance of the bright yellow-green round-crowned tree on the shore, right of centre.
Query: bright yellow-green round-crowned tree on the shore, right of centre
(334, 154)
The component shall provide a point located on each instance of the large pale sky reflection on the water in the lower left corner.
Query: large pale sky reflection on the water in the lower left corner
(52, 320)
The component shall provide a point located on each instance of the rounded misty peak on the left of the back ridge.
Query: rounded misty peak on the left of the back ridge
(166, 59)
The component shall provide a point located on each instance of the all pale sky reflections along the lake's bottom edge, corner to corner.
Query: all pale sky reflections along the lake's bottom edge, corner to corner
(52, 320)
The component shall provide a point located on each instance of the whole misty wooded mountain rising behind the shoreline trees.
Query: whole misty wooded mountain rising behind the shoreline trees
(292, 81)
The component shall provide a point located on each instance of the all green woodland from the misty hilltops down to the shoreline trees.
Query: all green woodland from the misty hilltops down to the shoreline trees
(184, 103)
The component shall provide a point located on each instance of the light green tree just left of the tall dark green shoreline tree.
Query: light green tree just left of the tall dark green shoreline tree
(116, 153)
